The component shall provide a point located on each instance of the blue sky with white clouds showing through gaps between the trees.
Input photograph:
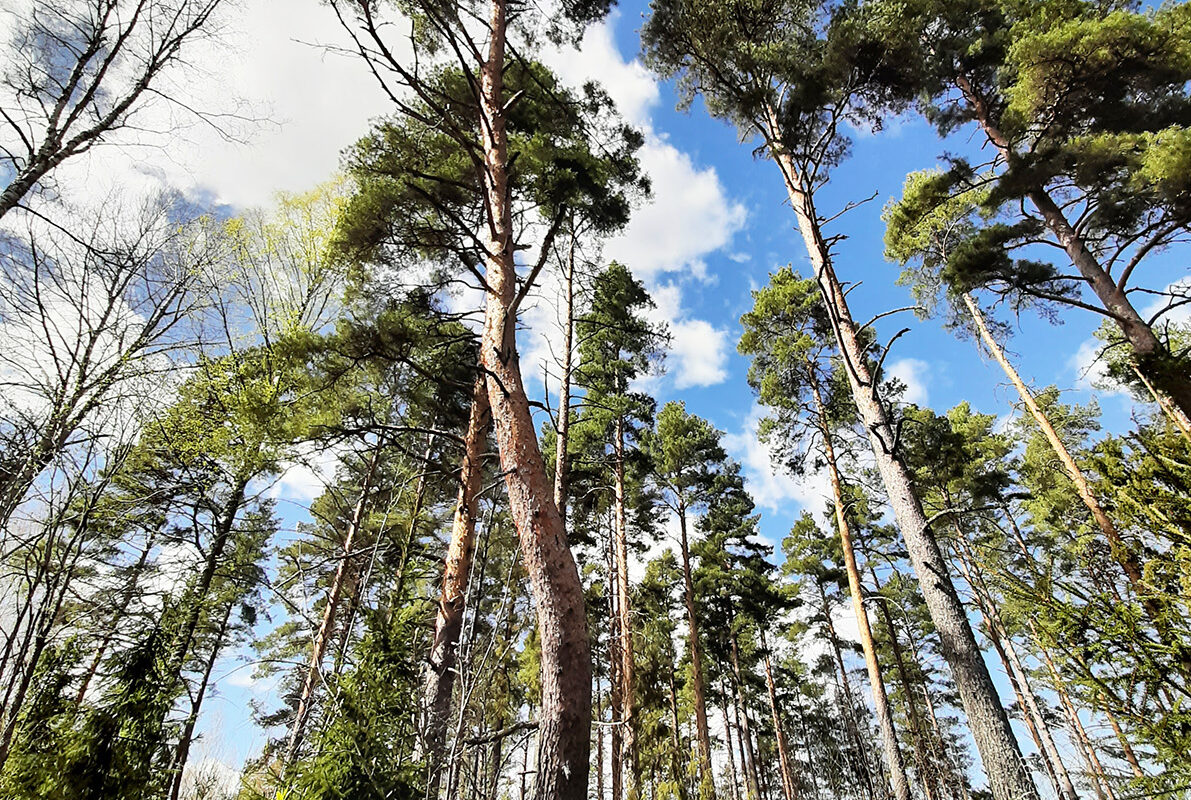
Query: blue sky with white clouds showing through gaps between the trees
(716, 228)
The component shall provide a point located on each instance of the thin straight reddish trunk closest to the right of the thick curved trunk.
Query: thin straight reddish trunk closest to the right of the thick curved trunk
(625, 611)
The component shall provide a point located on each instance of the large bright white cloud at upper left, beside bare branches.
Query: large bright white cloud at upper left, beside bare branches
(289, 107)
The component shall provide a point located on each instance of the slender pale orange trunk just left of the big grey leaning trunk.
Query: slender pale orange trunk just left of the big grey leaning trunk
(899, 779)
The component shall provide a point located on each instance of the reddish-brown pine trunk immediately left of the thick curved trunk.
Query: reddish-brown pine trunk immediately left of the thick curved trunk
(452, 598)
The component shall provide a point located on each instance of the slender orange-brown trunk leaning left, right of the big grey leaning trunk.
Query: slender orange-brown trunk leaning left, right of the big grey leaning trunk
(1118, 547)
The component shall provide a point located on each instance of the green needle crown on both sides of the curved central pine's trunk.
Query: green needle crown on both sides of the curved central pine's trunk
(420, 180)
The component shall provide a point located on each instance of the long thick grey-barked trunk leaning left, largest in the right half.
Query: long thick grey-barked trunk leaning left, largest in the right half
(1008, 777)
